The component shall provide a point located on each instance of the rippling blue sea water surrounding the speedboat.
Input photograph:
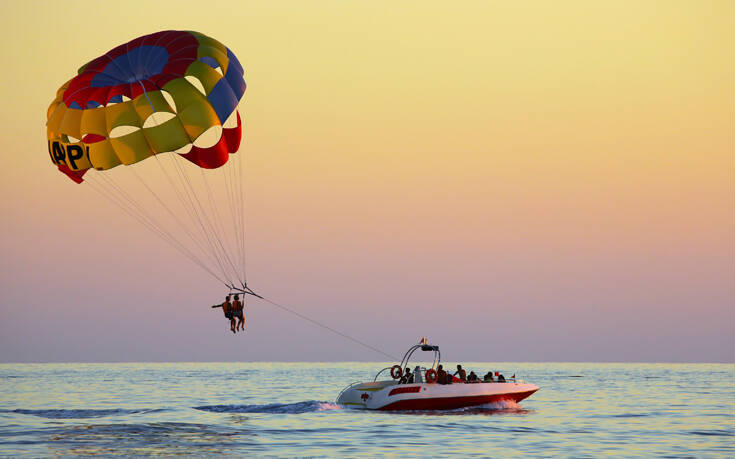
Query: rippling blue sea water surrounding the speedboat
(288, 409)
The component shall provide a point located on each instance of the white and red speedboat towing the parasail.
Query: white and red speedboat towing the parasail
(424, 392)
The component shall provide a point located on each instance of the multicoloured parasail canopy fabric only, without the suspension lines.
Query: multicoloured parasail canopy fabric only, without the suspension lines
(171, 91)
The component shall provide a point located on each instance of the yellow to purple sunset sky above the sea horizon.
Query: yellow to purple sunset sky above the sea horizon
(535, 181)
